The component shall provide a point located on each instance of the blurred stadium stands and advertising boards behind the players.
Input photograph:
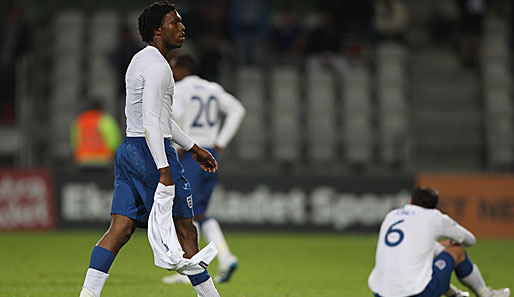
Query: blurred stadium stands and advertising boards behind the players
(349, 105)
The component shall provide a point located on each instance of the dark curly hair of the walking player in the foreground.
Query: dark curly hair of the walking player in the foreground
(152, 17)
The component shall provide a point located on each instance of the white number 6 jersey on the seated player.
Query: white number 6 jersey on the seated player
(405, 249)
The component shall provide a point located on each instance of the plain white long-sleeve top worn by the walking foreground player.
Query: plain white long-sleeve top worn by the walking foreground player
(150, 85)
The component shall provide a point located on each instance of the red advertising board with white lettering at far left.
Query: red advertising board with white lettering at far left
(26, 200)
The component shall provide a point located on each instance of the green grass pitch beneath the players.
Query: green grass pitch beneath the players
(274, 265)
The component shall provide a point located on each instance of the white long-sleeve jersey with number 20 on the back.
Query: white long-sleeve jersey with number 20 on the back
(198, 106)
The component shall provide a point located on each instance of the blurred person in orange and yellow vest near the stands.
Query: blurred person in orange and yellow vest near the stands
(95, 136)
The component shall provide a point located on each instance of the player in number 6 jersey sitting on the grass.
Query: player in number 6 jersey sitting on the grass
(407, 243)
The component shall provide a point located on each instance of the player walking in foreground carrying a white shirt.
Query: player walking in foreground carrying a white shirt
(146, 157)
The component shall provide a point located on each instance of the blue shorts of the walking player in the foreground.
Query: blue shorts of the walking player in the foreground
(136, 177)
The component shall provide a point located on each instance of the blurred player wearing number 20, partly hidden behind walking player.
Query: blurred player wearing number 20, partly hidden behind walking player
(198, 106)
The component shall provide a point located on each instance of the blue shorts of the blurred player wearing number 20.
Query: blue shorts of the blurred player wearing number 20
(202, 183)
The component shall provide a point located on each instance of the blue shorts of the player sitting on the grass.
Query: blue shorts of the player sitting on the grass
(442, 269)
